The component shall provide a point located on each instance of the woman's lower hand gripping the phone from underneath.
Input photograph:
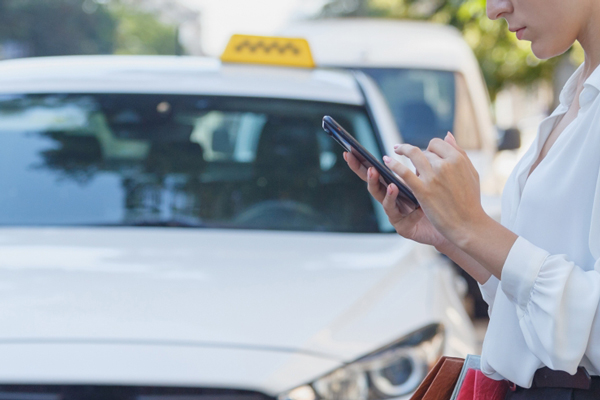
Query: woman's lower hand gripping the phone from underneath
(414, 226)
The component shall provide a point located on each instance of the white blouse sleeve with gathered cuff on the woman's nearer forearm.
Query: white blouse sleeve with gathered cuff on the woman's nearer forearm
(556, 303)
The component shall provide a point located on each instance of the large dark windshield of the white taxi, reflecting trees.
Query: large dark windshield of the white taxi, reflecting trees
(180, 160)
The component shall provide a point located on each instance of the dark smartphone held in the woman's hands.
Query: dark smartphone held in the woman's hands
(406, 200)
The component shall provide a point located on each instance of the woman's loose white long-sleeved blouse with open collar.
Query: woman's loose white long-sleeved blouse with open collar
(544, 310)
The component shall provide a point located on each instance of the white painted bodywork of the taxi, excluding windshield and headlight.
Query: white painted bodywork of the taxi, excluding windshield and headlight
(252, 310)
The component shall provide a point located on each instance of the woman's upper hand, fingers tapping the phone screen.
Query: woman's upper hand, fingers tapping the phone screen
(446, 185)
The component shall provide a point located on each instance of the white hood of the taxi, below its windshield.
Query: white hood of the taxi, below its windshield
(312, 295)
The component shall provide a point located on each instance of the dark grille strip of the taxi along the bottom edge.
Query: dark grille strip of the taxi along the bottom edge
(98, 392)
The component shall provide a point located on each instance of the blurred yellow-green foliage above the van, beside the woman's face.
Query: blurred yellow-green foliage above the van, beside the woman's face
(503, 59)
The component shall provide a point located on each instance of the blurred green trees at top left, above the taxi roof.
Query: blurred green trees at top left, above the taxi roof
(69, 27)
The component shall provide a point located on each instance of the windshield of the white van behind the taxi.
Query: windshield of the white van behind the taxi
(428, 103)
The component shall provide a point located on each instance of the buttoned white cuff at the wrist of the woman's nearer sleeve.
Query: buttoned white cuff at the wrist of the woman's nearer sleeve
(520, 271)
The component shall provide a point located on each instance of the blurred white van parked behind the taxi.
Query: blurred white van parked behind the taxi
(428, 74)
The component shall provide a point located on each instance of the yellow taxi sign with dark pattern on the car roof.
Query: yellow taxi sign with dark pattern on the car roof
(291, 52)
